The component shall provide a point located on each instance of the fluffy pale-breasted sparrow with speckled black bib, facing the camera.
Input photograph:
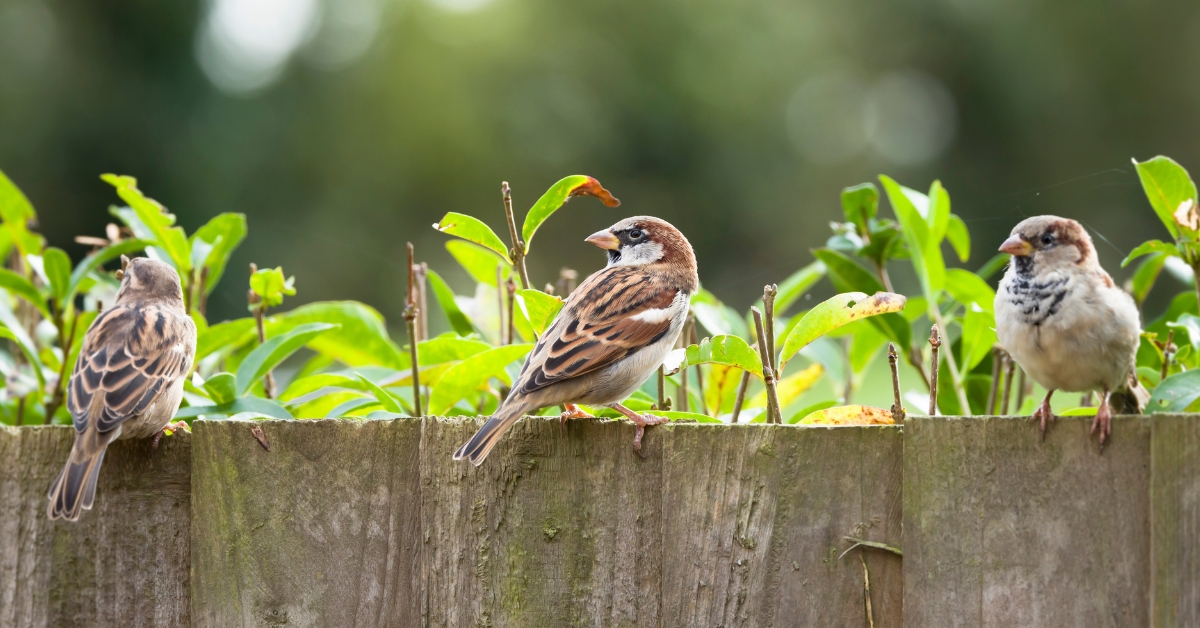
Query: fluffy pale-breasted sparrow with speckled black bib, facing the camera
(1061, 318)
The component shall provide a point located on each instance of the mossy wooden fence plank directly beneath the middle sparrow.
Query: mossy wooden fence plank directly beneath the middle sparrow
(561, 527)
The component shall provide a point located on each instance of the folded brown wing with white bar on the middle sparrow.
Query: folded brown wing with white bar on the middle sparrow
(613, 315)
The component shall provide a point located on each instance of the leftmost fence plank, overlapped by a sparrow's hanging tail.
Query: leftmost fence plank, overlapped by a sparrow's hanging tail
(125, 563)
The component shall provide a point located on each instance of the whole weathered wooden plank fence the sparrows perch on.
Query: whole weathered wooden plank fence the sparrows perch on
(351, 523)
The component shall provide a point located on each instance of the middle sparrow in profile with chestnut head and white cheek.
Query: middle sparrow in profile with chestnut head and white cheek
(611, 336)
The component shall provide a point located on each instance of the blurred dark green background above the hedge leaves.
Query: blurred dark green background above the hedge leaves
(344, 129)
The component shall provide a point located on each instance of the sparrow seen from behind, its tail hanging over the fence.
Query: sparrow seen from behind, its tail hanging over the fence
(129, 380)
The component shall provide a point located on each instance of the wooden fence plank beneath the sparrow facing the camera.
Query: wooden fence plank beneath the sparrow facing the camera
(1005, 530)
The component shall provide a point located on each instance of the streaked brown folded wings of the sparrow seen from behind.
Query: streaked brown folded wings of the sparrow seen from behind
(130, 356)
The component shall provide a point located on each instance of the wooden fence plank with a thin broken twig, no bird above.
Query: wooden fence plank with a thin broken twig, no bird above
(754, 519)
